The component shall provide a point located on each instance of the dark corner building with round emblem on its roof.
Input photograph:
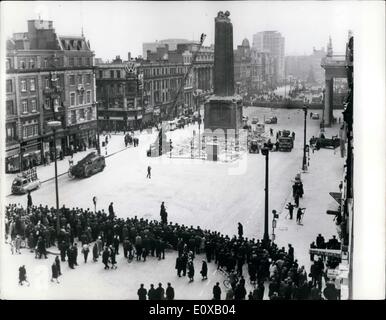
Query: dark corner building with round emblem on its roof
(119, 95)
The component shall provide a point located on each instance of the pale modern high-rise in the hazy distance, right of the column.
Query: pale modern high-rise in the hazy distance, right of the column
(274, 43)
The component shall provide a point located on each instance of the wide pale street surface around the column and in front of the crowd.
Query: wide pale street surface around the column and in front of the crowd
(213, 195)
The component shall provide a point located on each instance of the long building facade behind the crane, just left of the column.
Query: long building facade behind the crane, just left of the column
(176, 81)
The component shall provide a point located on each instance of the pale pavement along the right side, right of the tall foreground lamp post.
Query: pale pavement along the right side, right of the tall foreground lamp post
(323, 176)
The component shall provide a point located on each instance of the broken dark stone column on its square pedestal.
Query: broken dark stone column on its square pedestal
(224, 110)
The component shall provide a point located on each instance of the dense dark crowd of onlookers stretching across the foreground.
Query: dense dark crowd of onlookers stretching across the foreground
(142, 238)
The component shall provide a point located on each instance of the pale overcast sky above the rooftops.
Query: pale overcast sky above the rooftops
(116, 27)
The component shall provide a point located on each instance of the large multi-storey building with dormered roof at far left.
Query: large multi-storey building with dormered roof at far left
(48, 76)
